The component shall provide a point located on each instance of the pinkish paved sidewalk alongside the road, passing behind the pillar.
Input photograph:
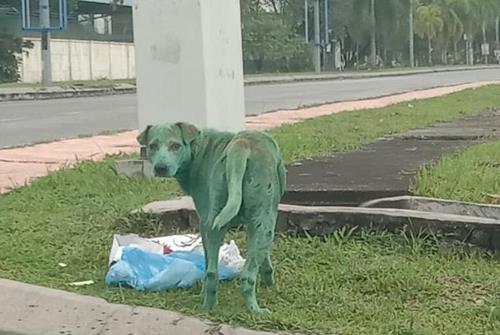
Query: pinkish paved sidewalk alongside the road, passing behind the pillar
(19, 166)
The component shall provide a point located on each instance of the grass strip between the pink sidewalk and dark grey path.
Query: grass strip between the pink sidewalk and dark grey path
(350, 130)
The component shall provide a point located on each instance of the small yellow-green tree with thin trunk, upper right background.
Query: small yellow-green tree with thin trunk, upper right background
(428, 23)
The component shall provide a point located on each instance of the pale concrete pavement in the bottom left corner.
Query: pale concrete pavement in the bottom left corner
(35, 310)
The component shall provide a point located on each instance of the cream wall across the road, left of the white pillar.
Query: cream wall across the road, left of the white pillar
(80, 60)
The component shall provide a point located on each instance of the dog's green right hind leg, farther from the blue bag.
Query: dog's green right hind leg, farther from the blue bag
(260, 237)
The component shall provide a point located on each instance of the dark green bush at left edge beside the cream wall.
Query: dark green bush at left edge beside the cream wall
(10, 48)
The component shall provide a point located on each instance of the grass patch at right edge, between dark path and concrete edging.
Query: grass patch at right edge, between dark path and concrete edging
(472, 174)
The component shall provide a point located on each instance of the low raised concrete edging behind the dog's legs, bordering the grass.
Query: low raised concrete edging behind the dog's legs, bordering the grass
(462, 224)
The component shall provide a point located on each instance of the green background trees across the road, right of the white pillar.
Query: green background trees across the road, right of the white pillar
(274, 29)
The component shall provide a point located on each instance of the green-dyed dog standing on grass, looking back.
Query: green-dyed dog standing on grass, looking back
(234, 179)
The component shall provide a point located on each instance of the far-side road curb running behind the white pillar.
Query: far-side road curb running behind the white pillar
(13, 94)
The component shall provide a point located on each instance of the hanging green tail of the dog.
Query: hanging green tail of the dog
(236, 164)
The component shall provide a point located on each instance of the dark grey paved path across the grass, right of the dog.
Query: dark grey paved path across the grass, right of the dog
(386, 167)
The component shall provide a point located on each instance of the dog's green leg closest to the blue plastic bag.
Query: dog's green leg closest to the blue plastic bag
(212, 241)
